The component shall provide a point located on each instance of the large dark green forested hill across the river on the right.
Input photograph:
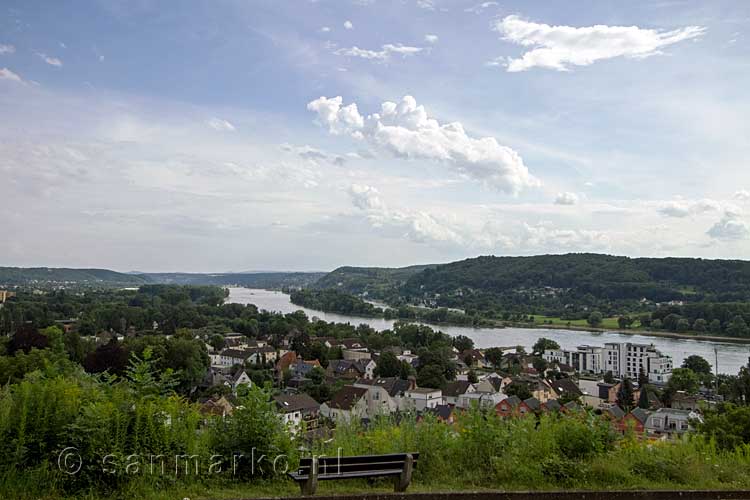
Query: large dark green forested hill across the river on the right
(541, 278)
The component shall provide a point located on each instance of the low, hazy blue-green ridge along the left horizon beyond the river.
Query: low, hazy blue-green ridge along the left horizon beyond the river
(44, 277)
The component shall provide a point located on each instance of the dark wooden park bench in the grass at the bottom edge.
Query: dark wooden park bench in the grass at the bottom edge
(398, 465)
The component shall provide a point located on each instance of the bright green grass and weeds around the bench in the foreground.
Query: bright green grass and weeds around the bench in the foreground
(479, 452)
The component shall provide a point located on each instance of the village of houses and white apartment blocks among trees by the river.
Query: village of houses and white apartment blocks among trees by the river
(572, 381)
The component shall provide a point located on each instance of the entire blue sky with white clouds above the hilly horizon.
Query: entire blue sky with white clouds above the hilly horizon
(235, 135)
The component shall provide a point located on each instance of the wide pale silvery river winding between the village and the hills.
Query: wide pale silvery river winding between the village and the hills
(731, 356)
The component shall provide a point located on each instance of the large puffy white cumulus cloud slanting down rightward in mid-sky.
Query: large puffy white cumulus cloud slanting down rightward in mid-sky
(405, 130)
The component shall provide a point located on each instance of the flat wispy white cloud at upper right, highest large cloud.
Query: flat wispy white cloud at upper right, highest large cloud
(559, 47)
